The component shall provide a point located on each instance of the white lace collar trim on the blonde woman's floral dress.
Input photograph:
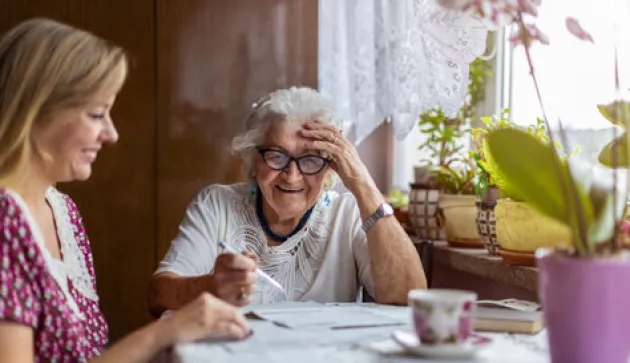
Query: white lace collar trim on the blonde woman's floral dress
(73, 258)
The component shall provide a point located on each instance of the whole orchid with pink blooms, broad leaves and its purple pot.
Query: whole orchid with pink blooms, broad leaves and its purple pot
(584, 289)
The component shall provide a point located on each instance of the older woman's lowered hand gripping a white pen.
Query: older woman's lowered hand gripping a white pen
(234, 277)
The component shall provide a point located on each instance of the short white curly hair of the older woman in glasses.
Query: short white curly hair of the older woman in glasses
(292, 105)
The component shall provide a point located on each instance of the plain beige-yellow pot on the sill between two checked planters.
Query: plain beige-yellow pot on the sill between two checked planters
(457, 219)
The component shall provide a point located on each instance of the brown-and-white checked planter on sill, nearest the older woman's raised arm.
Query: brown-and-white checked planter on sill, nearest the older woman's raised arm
(423, 204)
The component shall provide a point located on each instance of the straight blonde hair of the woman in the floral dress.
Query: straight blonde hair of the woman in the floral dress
(46, 68)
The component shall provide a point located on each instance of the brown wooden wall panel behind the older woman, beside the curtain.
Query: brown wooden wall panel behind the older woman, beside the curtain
(215, 58)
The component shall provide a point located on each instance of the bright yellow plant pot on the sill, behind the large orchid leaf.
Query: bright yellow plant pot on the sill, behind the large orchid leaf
(520, 228)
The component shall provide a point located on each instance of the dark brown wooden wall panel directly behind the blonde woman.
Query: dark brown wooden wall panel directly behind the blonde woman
(118, 202)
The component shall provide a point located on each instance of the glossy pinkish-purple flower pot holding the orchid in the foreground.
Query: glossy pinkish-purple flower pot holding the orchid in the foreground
(586, 304)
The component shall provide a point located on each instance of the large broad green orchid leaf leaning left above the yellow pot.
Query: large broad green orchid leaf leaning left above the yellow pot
(528, 166)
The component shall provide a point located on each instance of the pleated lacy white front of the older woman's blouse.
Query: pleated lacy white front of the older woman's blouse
(295, 263)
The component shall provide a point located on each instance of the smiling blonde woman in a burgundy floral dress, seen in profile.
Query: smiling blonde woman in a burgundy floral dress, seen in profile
(57, 86)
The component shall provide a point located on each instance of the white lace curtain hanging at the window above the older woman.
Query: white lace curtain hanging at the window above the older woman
(392, 59)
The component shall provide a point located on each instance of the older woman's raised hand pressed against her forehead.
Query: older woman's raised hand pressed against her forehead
(345, 158)
